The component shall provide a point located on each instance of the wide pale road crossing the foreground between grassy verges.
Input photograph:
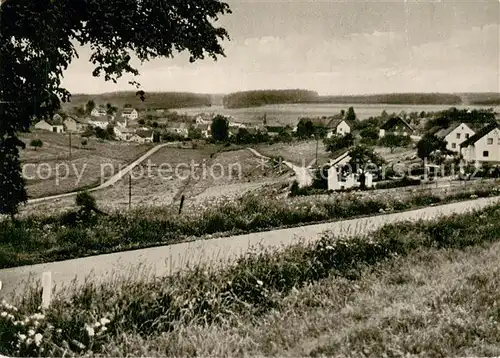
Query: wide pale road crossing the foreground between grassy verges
(165, 260)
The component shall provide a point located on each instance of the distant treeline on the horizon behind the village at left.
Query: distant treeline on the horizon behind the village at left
(164, 100)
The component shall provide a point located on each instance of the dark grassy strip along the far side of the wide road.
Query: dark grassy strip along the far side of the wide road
(44, 239)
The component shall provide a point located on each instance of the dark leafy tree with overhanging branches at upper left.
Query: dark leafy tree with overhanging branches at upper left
(37, 43)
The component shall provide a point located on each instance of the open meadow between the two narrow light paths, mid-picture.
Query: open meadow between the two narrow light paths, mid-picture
(198, 173)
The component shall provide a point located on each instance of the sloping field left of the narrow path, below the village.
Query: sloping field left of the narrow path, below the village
(50, 170)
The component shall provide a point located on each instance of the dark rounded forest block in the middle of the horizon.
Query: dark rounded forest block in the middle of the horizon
(260, 98)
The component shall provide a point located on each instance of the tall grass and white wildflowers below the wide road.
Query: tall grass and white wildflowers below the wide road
(427, 288)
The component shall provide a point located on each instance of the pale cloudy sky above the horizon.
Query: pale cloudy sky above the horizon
(333, 47)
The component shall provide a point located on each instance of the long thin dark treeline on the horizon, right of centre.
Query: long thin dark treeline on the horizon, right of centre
(395, 98)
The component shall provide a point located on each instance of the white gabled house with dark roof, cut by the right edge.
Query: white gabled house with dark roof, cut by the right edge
(484, 146)
